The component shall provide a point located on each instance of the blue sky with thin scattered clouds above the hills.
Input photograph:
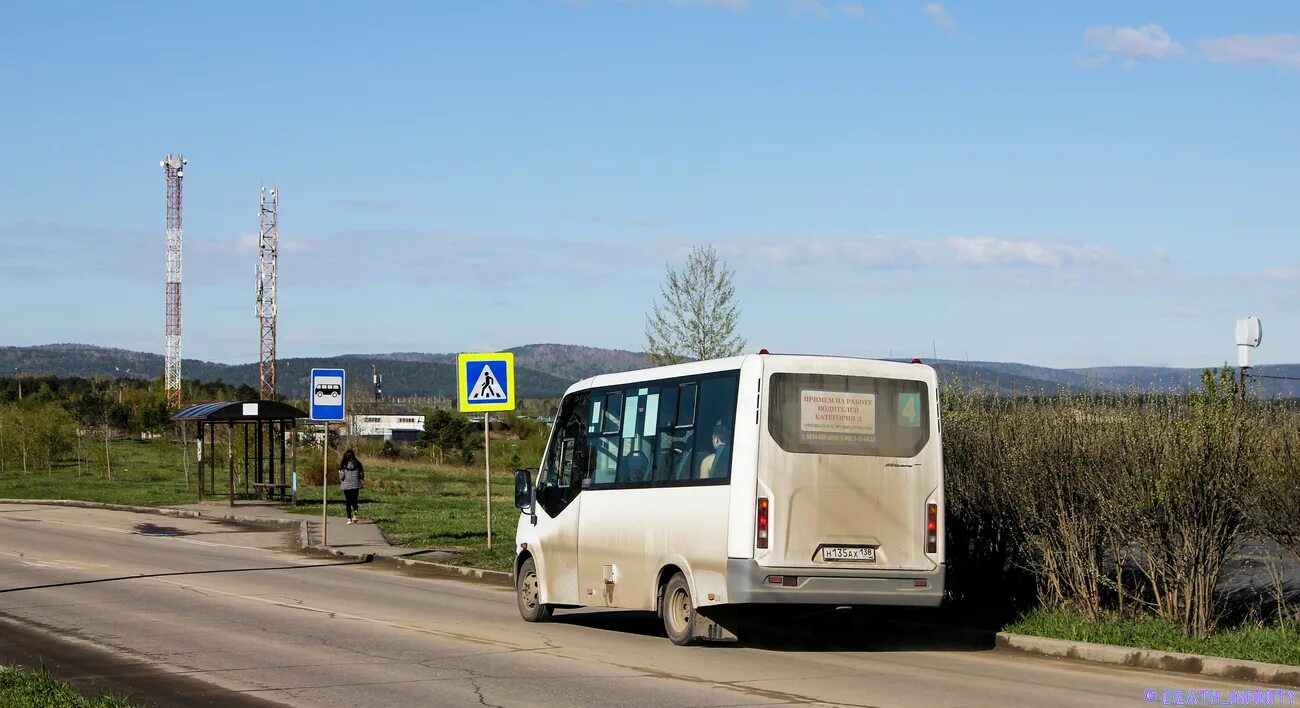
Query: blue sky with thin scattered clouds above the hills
(1108, 184)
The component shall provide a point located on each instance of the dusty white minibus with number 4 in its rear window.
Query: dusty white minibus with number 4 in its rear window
(727, 485)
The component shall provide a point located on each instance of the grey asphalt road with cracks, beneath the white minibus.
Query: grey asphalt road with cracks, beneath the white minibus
(198, 613)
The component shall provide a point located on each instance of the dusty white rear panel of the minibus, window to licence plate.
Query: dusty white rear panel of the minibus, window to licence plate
(848, 467)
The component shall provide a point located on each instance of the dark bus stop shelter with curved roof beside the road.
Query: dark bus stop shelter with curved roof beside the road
(261, 432)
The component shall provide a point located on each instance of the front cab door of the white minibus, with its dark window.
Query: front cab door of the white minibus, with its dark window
(560, 484)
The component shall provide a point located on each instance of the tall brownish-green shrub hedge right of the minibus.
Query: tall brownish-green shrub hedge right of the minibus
(1116, 502)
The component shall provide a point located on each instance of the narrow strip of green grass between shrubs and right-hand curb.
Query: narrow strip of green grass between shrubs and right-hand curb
(1276, 644)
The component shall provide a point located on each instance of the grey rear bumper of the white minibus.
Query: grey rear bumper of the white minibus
(749, 583)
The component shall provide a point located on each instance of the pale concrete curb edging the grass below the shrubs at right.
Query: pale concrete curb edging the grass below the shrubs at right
(1238, 670)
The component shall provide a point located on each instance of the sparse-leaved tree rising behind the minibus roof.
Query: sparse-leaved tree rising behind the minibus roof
(697, 314)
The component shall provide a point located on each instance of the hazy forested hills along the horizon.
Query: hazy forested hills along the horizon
(547, 371)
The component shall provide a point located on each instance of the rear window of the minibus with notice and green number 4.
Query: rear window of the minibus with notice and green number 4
(840, 415)
